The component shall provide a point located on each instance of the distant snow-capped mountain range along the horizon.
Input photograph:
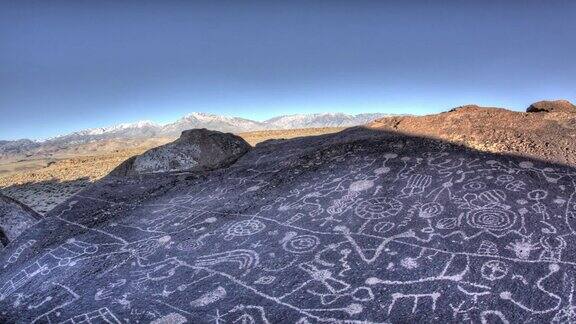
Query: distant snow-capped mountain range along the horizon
(148, 129)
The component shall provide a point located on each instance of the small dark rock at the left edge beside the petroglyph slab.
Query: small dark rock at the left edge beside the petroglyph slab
(15, 217)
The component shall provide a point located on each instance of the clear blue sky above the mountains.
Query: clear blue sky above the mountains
(69, 65)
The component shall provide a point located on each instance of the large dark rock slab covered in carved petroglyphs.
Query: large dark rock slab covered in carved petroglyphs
(356, 227)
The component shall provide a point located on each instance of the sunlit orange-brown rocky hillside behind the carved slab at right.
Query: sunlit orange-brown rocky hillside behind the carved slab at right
(546, 131)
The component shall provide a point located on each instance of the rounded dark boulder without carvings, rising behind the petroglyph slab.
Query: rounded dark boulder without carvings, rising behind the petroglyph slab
(195, 150)
